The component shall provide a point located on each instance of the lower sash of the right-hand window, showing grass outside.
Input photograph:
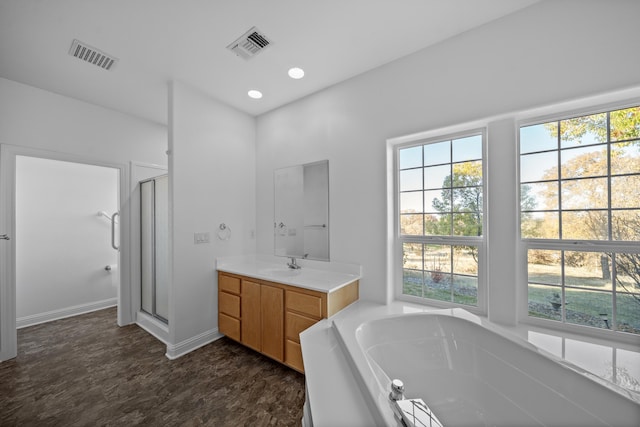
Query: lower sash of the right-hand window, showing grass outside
(578, 287)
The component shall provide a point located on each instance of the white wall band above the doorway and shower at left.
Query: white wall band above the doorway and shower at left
(31, 117)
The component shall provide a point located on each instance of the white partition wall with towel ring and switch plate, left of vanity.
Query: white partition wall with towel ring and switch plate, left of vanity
(212, 181)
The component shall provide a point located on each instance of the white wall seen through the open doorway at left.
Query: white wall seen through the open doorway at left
(62, 246)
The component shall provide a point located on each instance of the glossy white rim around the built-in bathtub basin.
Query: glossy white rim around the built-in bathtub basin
(346, 329)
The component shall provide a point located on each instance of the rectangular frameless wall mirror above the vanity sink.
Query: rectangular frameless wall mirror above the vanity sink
(301, 214)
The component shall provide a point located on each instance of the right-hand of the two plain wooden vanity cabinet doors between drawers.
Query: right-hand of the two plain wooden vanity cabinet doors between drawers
(272, 308)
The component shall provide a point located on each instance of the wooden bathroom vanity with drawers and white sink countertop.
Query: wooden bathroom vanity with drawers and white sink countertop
(265, 305)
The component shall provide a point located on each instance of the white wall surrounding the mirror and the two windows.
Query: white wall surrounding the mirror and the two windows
(550, 52)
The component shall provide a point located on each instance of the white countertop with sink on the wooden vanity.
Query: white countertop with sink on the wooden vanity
(318, 276)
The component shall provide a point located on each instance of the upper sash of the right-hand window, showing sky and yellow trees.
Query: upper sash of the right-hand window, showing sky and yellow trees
(587, 177)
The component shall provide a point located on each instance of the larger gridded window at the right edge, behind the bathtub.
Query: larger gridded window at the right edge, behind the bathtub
(580, 219)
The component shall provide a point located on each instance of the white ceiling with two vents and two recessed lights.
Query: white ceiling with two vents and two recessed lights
(157, 41)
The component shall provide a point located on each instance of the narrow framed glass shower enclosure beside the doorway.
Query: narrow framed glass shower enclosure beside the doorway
(154, 255)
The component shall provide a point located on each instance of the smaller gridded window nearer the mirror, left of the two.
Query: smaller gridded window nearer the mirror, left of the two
(440, 211)
